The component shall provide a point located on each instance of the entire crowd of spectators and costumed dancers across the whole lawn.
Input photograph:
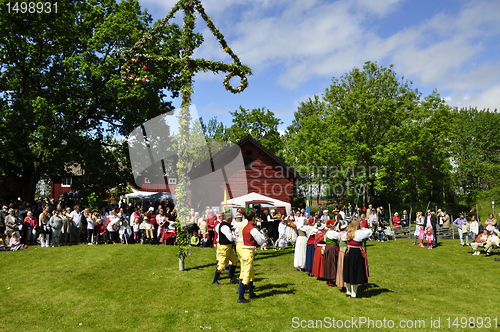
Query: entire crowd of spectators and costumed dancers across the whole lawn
(329, 245)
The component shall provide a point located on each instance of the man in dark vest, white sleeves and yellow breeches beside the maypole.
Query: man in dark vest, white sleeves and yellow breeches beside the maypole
(225, 251)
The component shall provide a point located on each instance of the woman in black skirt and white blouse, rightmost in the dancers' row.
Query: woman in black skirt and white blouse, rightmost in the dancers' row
(355, 261)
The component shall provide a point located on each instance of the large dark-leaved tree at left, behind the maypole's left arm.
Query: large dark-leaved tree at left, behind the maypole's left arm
(62, 98)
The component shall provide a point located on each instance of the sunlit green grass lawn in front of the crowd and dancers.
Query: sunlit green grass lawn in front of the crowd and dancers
(139, 288)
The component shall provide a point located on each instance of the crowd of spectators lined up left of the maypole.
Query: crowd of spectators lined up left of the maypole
(50, 223)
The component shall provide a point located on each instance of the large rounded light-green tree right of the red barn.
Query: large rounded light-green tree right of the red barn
(374, 135)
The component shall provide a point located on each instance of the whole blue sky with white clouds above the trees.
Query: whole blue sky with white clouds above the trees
(295, 47)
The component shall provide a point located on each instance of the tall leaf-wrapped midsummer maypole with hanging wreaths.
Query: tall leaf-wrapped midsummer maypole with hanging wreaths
(135, 71)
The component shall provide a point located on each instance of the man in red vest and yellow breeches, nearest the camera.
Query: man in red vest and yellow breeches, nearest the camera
(251, 239)
